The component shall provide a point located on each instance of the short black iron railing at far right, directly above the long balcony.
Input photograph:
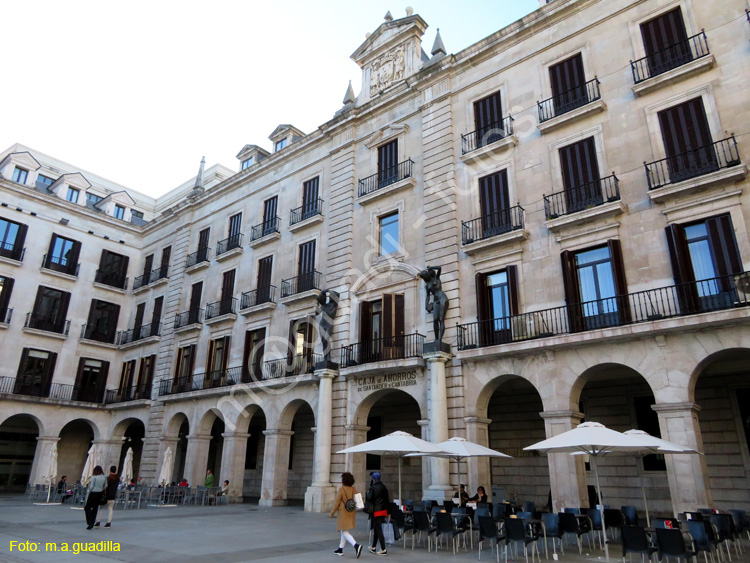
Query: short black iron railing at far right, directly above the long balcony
(693, 163)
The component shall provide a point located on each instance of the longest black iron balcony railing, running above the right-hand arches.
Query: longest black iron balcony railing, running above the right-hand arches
(644, 306)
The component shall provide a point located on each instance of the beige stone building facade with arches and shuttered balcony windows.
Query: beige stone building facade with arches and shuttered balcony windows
(579, 178)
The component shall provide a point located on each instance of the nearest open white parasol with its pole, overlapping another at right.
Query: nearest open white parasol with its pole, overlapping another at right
(595, 440)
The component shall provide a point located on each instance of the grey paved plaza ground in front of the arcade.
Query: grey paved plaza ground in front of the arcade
(240, 532)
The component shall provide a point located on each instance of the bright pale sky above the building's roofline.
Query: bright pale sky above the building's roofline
(137, 92)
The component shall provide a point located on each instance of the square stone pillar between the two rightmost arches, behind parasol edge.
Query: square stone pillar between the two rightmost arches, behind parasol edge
(687, 474)
